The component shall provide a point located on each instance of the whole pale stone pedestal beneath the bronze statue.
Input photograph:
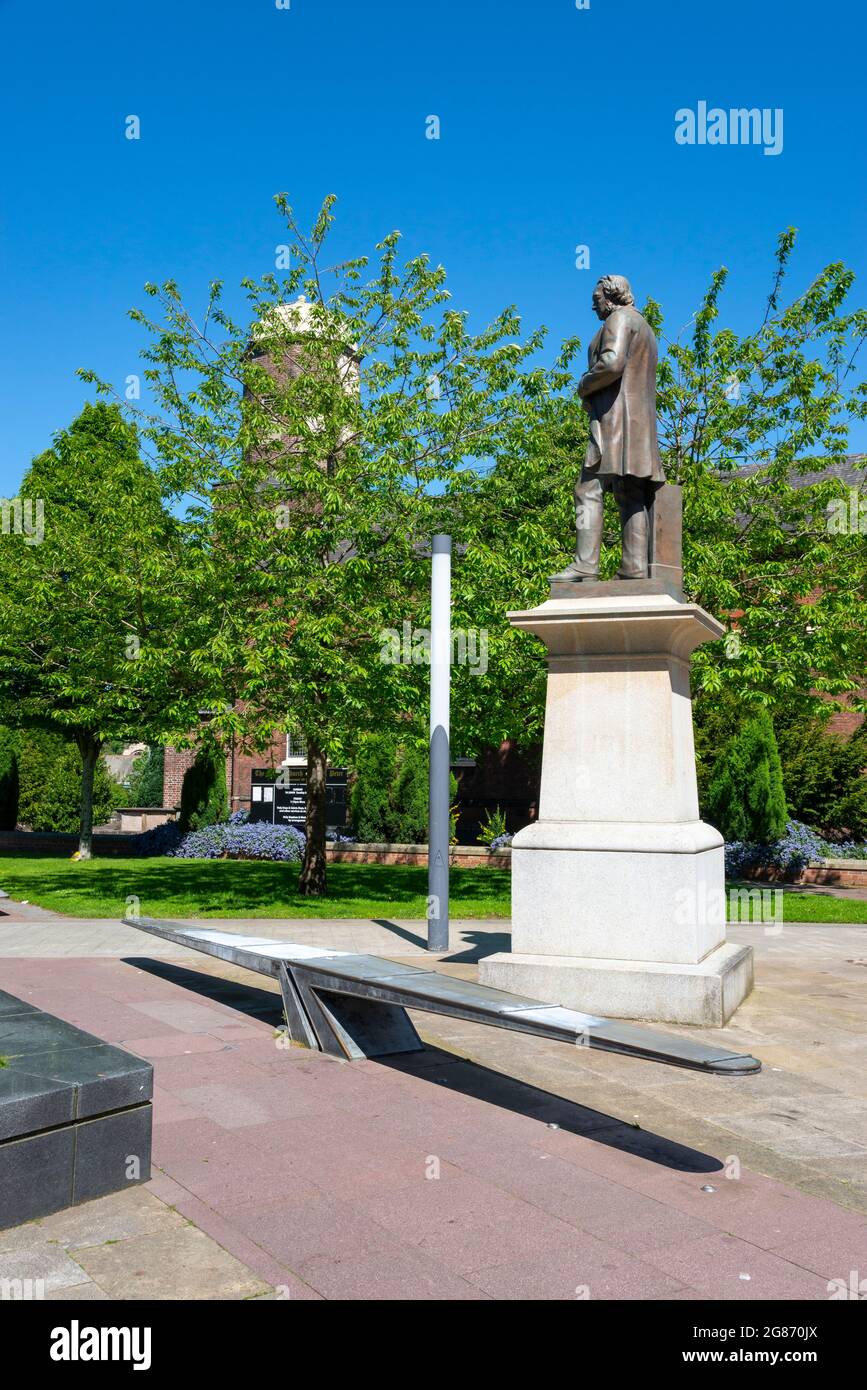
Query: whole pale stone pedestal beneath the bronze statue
(619, 890)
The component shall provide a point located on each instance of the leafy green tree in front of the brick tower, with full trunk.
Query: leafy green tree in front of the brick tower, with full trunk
(329, 440)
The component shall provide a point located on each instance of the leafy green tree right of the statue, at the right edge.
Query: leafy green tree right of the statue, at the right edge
(752, 427)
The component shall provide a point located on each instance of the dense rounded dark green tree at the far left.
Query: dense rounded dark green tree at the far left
(92, 615)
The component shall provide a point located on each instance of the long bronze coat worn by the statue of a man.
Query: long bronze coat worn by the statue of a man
(620, 393)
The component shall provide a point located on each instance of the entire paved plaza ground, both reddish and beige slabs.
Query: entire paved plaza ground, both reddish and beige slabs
(491, 1167)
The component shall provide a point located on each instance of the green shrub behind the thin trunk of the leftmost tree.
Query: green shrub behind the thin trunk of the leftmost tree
(51, 771)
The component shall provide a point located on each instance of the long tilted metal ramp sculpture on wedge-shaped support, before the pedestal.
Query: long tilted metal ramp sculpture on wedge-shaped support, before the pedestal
(355, 1006)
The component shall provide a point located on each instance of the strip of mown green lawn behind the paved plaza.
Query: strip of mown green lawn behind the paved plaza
(248, 889)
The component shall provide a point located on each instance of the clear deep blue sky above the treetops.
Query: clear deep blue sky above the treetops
(558, 130)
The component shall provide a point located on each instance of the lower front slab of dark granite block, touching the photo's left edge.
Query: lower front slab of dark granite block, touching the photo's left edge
(37, 1175)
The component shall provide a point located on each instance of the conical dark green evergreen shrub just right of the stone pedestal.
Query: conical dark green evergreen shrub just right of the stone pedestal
(745, 797)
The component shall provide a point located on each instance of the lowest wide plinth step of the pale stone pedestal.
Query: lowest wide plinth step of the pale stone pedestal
(650, 990)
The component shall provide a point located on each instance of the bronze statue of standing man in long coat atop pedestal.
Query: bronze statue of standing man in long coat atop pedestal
(619, 394)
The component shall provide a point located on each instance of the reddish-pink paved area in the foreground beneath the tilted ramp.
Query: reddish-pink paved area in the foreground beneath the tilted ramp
(429, 1177)
